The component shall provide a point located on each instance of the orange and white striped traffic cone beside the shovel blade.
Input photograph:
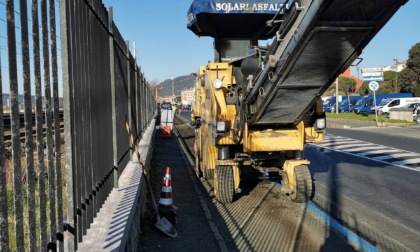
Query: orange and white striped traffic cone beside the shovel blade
(166, 208)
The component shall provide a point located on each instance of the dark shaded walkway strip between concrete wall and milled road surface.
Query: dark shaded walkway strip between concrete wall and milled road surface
(194, 231)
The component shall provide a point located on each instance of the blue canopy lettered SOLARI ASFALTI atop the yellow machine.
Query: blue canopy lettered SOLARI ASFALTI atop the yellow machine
(234, 19)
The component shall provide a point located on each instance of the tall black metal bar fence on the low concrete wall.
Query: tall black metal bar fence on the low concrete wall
(53, 182)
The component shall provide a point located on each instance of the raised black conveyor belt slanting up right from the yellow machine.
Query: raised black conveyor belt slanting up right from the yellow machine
(326, 37)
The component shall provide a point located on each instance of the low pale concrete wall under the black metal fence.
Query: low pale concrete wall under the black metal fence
(117, 225)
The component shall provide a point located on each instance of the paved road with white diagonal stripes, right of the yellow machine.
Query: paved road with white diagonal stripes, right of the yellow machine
(365, 178)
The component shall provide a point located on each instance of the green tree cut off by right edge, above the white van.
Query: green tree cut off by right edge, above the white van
(409, 78)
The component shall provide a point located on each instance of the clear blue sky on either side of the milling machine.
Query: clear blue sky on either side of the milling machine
(166, 48)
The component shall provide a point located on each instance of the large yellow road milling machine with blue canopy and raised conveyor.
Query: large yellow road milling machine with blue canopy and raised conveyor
(260, 105)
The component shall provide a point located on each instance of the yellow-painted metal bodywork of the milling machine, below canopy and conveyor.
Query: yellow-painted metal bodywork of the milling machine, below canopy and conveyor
(212, 105)
